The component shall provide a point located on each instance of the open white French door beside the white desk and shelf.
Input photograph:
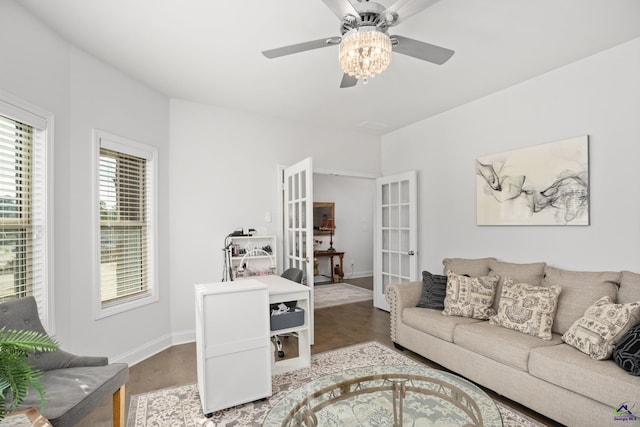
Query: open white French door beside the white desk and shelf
(298, 223)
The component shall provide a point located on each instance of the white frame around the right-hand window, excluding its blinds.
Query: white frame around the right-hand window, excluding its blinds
(102, 139)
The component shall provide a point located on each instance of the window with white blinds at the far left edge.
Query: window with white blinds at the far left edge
(22, 201)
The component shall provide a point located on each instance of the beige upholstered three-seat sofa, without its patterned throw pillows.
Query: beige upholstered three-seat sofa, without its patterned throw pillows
(548, 376)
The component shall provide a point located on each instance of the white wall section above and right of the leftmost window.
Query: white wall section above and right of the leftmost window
(22, 74)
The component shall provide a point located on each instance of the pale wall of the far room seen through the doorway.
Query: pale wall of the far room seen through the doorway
(353, 198)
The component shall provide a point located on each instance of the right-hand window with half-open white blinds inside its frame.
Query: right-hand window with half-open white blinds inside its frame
(126, 224)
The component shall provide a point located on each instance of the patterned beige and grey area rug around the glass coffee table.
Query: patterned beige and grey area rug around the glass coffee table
(180, 406)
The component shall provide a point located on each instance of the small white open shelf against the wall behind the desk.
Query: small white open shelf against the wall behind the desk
(258, 253)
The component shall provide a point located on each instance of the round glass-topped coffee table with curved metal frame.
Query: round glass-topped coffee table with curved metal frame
(386, 396)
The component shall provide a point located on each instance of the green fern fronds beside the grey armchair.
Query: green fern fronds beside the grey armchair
(16, 373)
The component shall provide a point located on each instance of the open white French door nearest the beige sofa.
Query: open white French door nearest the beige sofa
(396, 239)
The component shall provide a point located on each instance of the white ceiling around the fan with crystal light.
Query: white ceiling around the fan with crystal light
(209, 51)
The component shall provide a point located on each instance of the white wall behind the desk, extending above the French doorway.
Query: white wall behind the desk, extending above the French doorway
(224, 176)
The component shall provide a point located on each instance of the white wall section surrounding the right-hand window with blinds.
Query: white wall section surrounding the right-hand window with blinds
(105, 99)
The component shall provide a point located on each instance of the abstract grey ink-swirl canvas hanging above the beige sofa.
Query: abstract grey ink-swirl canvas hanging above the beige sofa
(542, 185)
